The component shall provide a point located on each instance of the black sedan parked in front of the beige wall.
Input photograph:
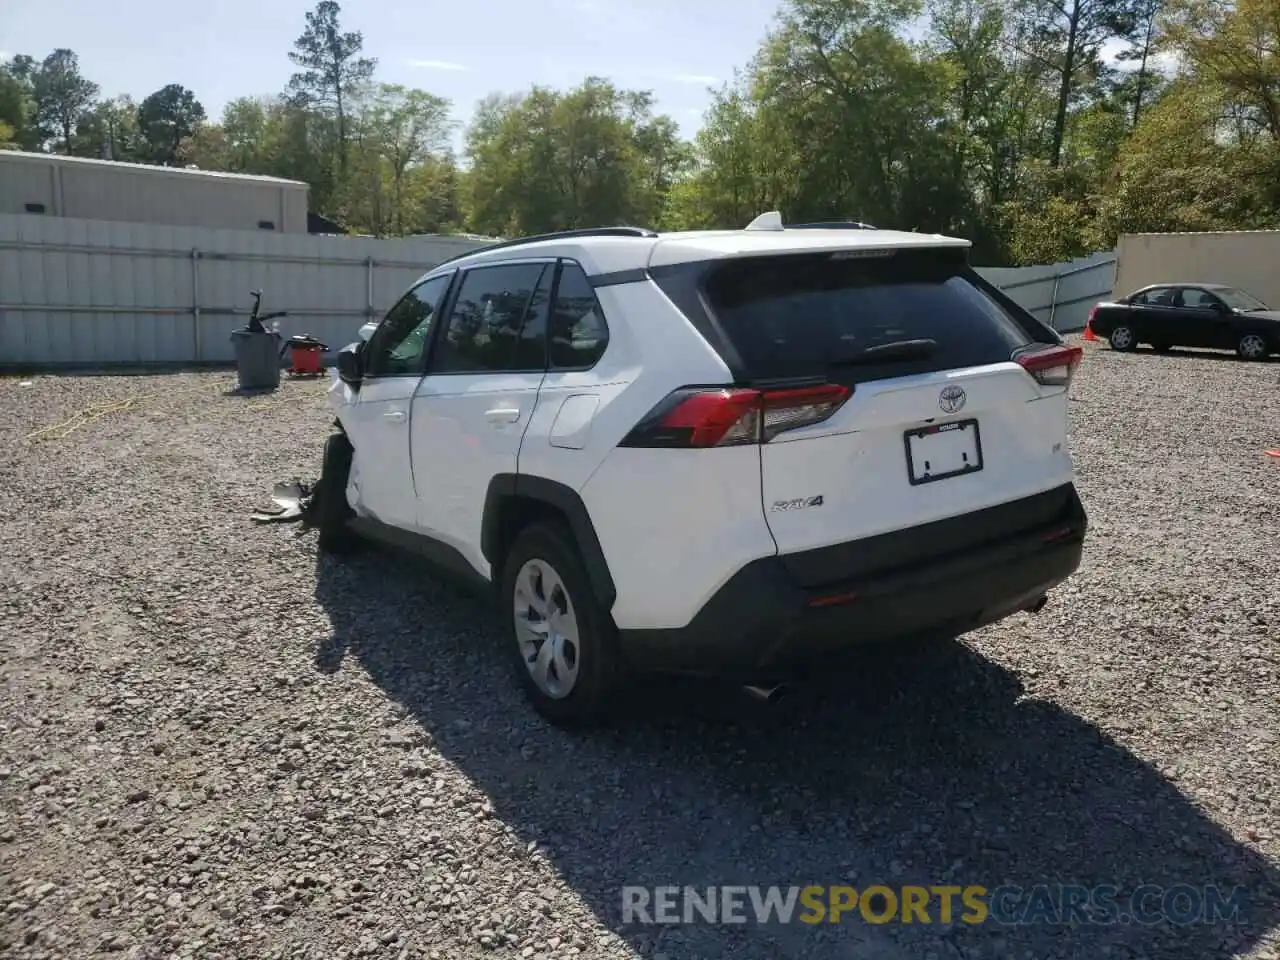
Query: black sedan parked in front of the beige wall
(1210, 316)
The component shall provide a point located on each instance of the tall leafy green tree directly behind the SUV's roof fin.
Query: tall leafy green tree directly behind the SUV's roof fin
(860, 111)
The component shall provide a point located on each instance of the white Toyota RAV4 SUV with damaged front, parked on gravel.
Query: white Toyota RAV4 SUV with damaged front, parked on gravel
(732, 452)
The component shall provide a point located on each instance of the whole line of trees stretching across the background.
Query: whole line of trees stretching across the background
(1039, 129)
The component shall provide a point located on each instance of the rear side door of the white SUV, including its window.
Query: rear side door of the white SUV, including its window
(474, 406)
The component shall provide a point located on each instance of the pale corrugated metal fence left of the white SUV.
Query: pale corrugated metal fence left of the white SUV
(95, 294)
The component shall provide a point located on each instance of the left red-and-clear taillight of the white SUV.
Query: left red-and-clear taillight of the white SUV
(730, 417)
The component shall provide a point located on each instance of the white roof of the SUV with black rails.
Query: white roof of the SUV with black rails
(618, 250)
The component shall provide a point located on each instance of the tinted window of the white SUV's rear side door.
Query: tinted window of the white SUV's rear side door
(484, 330)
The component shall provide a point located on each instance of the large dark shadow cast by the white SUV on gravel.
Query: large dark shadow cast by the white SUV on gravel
(924, 770)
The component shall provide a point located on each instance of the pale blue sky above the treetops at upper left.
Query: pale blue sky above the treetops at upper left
(223, 49)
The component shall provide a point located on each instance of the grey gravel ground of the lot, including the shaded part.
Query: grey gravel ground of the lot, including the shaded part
(216, 747)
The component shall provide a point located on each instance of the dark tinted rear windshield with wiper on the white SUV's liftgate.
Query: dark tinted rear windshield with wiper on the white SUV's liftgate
(801, 316)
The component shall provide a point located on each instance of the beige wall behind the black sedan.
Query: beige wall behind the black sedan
(1245, 259)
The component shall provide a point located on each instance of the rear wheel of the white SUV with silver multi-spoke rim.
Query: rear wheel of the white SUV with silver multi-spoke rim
(563, 643)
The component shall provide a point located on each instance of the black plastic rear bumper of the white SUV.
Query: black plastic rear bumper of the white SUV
(762, 625)
